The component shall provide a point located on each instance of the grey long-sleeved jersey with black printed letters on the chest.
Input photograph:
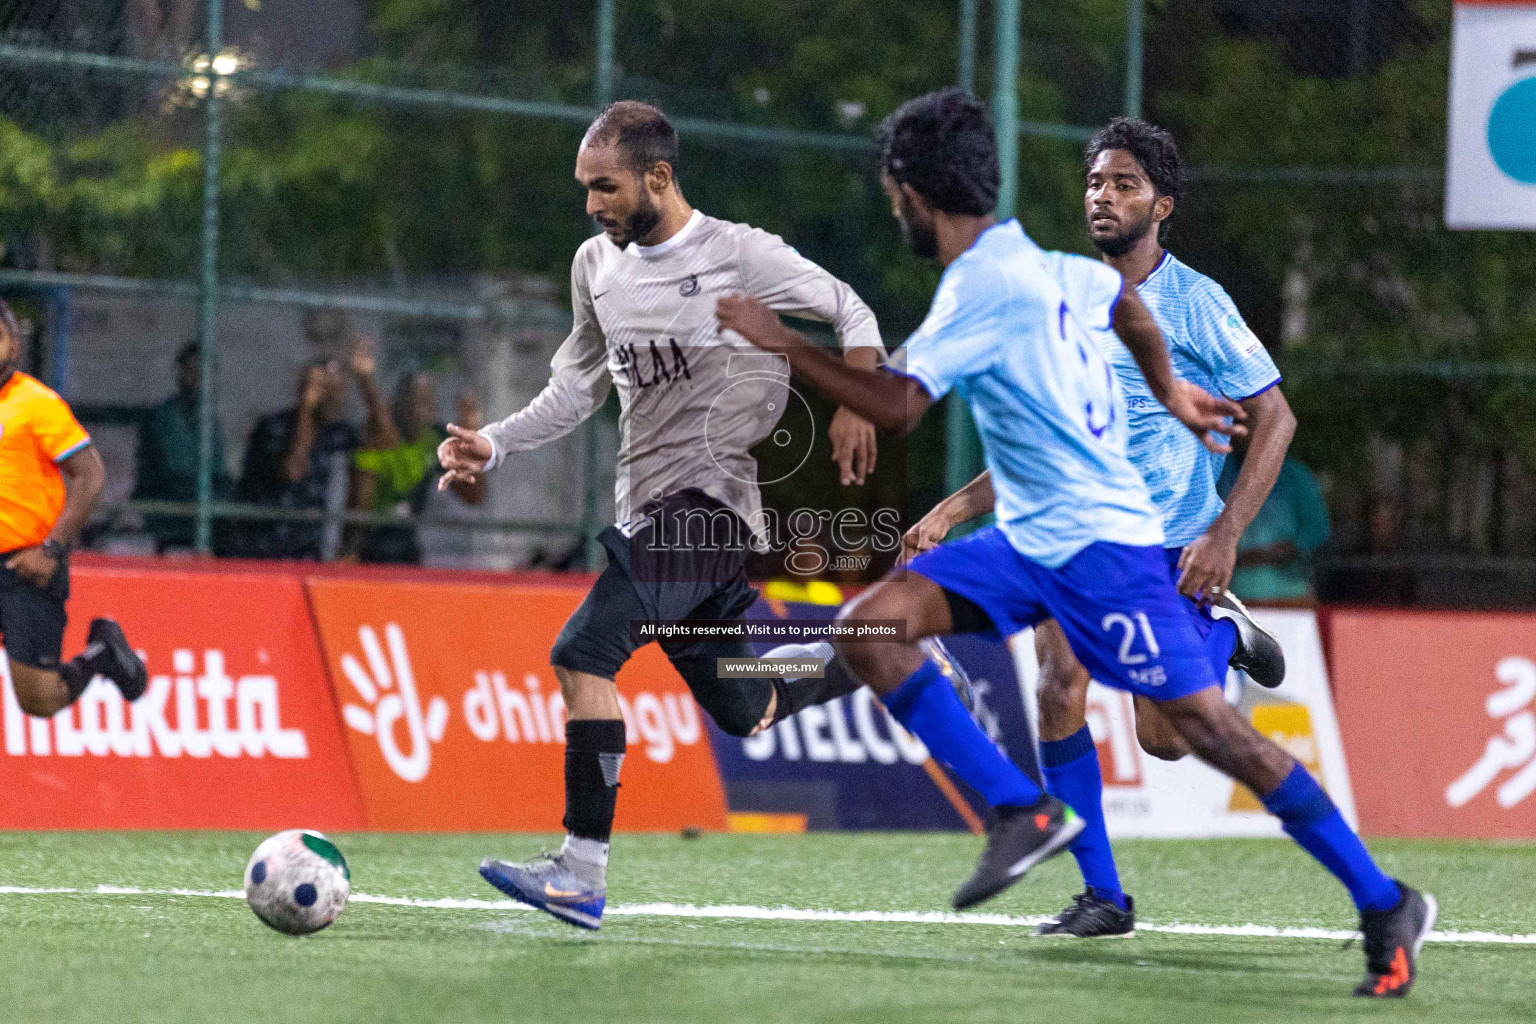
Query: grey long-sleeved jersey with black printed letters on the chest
(692, 400)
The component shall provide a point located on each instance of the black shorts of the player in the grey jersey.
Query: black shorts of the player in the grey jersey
(687, 563)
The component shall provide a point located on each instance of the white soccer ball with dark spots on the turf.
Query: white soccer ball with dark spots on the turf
(297, 882)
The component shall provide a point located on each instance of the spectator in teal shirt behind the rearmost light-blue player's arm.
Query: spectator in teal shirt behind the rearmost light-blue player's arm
(1276, 552)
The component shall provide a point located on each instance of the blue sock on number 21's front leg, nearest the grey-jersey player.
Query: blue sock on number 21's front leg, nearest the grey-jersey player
(927, 705)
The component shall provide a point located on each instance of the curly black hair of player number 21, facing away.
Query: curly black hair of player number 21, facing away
(942, 144)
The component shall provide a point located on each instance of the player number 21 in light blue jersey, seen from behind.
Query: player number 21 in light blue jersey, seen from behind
(1078, 538)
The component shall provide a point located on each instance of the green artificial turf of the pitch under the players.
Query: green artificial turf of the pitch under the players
(171, 959)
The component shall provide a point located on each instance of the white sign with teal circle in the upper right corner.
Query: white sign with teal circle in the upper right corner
(1491, 154)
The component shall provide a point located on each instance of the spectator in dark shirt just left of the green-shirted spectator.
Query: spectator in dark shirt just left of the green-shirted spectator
(297, 460)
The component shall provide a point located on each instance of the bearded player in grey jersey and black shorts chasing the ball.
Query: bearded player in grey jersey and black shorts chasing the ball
(694, 403)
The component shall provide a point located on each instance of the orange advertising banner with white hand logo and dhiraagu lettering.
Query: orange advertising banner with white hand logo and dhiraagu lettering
(455, 721)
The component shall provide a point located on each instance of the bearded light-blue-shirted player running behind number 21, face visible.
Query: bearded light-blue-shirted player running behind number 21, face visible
(1134, 182)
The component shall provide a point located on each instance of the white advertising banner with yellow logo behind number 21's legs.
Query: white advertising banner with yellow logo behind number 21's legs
(1151, 799)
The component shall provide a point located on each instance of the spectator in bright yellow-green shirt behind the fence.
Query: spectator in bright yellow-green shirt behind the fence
(399, 461)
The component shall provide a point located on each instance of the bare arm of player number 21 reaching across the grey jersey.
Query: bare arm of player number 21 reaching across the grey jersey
(890, 401)
